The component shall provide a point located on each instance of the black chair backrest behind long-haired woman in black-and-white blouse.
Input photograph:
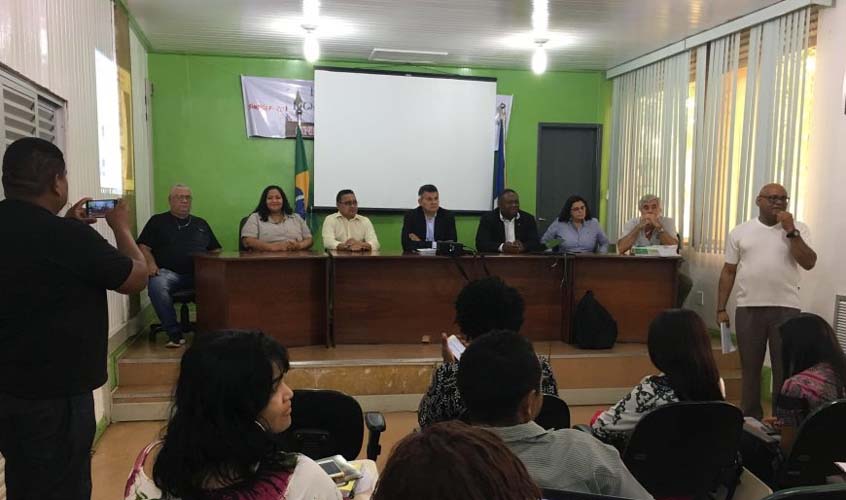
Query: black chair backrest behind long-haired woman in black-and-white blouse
(686, 448)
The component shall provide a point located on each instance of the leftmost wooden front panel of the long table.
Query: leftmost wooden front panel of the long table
(283, 296)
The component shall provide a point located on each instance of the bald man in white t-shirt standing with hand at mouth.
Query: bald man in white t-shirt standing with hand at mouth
(763, 255)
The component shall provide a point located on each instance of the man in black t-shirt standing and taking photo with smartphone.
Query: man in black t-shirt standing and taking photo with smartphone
(54, 322)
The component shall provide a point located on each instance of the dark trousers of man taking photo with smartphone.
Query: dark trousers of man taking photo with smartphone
(47, 447)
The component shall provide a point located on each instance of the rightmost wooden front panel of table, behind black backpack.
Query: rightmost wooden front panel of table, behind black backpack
(633, 289)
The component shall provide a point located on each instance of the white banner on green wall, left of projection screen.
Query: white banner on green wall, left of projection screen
(270, 109)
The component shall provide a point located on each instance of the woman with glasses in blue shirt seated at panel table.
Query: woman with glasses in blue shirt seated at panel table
(575, 230)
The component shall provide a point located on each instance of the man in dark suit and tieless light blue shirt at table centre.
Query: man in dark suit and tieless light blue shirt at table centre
(427, 223)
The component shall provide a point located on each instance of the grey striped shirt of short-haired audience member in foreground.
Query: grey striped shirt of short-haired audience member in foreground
(571, 460)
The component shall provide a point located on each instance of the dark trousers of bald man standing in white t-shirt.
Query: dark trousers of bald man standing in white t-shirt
(756, 327)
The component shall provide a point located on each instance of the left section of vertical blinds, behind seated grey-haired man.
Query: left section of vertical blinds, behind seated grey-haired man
(648, 140)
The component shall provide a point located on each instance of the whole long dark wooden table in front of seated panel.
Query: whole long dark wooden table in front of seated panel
(305, 298)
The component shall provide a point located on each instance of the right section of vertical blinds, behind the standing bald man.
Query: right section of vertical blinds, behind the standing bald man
(749, 123)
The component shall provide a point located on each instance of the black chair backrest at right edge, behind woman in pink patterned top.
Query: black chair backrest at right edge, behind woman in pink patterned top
(820, 441)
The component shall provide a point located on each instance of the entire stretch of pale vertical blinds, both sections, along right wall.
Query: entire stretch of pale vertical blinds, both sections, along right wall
(752, 100)
